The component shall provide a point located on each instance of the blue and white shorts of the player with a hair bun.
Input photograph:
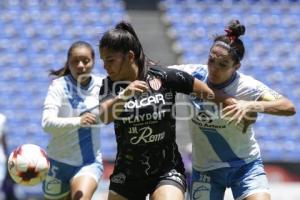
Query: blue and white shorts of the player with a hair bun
(243, 181)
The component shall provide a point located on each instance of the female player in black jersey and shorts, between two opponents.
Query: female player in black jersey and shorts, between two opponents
(139, 98)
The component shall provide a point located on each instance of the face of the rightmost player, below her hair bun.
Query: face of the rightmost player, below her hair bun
(220, 65)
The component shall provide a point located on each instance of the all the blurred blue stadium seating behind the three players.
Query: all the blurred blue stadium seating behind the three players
(35, 36)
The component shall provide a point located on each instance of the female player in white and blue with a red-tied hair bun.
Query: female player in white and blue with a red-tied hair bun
(224, 155)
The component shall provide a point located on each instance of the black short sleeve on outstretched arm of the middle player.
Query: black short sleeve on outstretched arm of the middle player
(179, 81)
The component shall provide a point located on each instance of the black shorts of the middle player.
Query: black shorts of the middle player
(139, 189)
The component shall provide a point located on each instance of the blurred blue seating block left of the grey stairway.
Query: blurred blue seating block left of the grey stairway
(35, 36)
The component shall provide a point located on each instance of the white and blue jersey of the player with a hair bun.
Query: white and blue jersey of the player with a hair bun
(217, 144)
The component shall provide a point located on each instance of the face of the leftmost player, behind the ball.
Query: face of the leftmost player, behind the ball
(81, 63)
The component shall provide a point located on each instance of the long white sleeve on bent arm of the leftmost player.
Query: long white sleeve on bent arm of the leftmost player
(51, 123)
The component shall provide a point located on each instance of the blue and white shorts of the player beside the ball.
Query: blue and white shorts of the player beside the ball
(57, 183)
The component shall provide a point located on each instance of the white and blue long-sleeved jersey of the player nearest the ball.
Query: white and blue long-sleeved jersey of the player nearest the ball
(65, 102)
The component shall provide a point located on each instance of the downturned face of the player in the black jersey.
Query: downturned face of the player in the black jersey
(115, 63)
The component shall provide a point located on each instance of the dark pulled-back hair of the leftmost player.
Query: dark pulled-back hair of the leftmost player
(65, 70)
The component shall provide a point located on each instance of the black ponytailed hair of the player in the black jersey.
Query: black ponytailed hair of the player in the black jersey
(123, 39)
